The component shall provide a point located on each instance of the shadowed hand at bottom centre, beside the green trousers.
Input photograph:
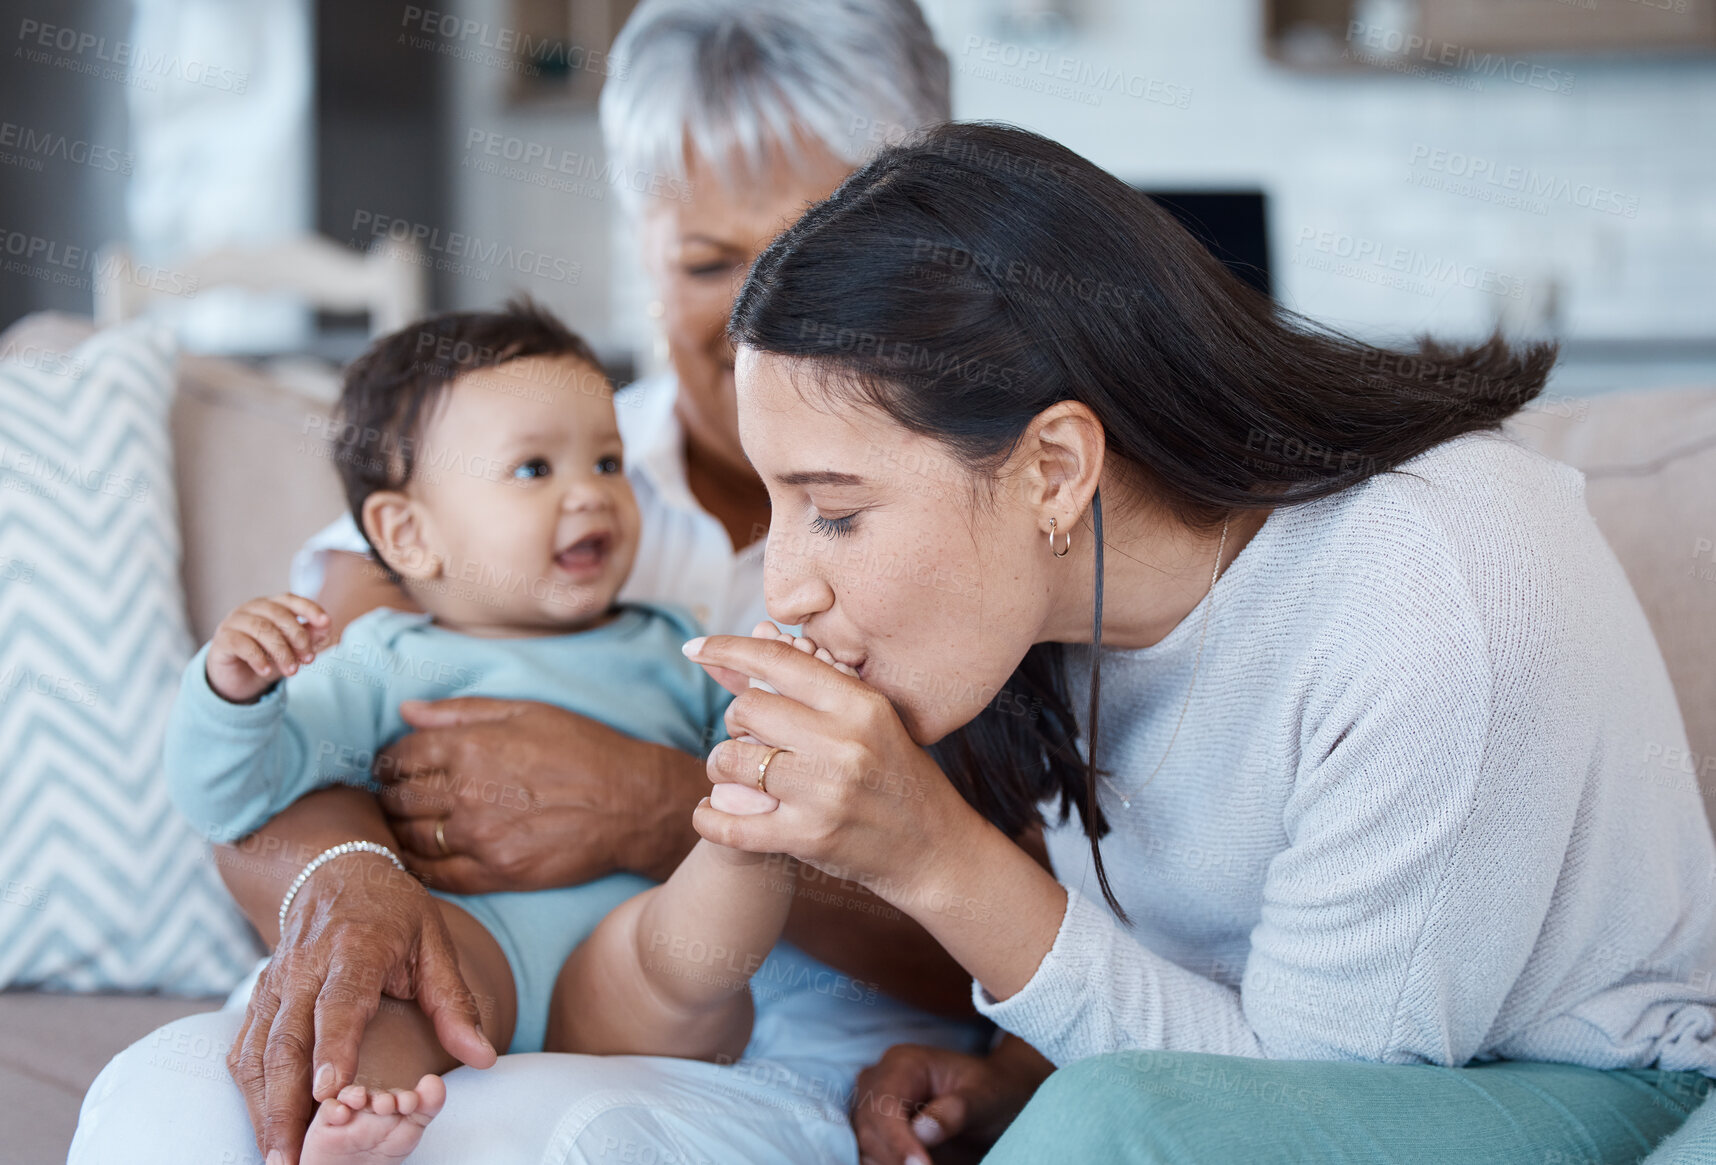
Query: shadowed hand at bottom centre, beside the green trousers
(919, 1097)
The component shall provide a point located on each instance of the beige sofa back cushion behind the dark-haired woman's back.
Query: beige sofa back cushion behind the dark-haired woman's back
(1650, 462)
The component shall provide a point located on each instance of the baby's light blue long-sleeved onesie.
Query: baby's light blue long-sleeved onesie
(231, 768)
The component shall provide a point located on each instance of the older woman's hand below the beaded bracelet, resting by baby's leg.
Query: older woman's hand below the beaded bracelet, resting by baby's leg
(358, 929)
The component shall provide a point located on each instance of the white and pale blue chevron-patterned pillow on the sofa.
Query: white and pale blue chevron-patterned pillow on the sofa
(102, 884)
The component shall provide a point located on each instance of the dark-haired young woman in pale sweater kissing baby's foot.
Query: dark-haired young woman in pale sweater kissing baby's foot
(1331, 697)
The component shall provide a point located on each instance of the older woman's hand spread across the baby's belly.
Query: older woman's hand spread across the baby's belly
(529, 797)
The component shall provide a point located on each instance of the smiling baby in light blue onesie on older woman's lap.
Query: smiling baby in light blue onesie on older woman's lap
(481, 459)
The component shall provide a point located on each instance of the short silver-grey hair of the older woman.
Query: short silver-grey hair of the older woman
(737, 76)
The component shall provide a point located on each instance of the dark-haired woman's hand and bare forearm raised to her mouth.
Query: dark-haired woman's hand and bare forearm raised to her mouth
(861, 800)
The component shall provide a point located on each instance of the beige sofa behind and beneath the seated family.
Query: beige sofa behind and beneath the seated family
(250, 493)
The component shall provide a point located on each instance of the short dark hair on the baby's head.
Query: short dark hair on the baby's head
(396, 385)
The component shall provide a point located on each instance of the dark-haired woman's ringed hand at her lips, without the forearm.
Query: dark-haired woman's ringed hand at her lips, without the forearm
(859, 797)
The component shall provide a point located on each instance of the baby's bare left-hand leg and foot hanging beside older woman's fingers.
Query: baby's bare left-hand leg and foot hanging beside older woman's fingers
(399, 1090)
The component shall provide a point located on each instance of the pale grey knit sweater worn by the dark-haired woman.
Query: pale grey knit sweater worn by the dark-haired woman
(1418, 809)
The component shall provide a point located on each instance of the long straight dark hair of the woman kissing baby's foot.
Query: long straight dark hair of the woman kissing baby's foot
(977, 275)
